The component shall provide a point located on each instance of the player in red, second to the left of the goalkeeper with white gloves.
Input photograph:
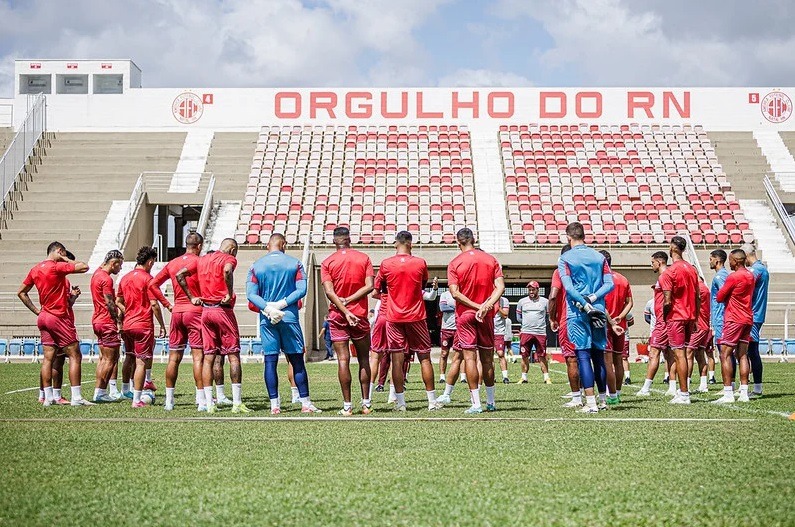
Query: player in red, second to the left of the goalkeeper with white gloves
(186, 324)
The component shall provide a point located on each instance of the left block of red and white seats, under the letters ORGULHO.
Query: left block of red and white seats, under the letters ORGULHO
(377, 180)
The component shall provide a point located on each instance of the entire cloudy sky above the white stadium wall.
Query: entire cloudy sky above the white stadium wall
(316, 43)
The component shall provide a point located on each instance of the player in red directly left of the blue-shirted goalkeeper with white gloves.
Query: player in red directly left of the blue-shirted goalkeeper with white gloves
(220, 332)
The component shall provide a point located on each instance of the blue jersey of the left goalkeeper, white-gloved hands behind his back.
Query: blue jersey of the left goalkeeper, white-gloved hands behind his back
(274, 277)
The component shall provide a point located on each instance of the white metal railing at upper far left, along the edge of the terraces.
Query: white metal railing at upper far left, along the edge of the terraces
(21, 147)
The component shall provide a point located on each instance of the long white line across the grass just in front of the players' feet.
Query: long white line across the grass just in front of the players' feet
(376, 419)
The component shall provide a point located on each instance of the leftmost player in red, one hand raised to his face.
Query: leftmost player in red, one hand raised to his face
(57, 329)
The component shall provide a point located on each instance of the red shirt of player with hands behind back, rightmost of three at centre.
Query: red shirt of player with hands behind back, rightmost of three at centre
(474, 272)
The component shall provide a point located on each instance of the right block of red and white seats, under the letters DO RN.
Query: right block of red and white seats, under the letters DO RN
(628, 184)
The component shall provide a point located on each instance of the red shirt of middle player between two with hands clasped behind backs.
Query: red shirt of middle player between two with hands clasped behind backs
(405, 277)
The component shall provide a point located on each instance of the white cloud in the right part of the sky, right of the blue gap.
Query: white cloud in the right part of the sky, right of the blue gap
(610, 42)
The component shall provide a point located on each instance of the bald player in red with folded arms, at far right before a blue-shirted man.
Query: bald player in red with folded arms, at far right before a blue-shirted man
(738, 319)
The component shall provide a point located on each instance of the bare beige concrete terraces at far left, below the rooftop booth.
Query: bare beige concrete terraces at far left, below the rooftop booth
(68, 200)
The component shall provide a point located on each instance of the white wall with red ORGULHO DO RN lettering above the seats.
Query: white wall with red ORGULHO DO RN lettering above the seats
(248, 109)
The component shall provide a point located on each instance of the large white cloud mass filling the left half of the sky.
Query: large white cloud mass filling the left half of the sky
(231, 43)
